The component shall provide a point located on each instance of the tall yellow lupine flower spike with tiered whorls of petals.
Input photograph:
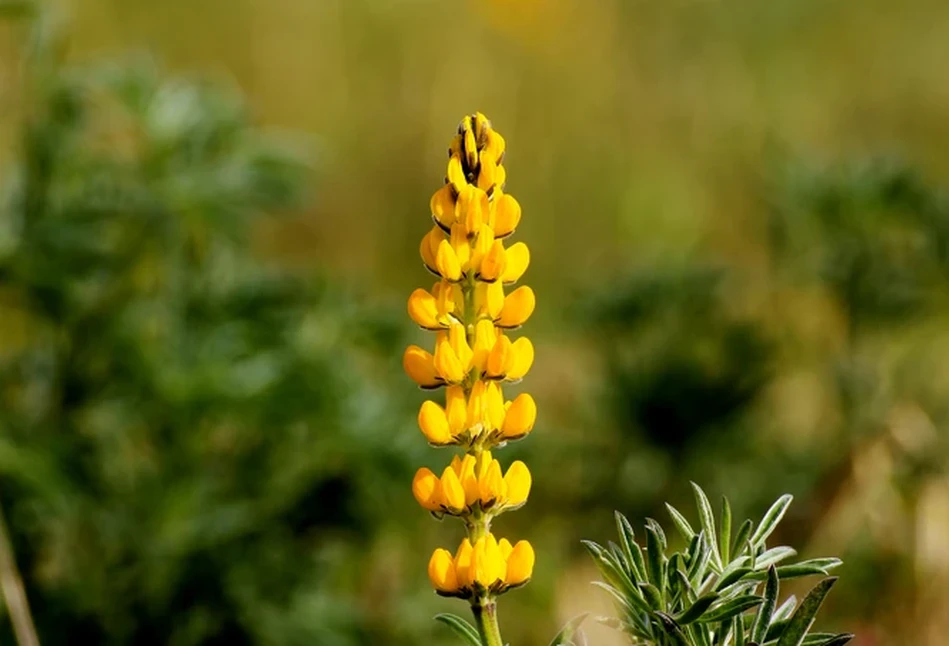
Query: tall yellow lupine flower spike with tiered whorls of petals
(474, 356)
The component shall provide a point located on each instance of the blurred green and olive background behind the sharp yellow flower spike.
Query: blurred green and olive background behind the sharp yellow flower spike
(209, 226)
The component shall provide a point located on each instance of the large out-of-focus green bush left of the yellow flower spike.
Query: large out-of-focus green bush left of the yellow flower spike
(194, 444)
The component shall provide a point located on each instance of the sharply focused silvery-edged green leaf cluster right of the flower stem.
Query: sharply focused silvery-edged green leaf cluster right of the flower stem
(722, 590)
